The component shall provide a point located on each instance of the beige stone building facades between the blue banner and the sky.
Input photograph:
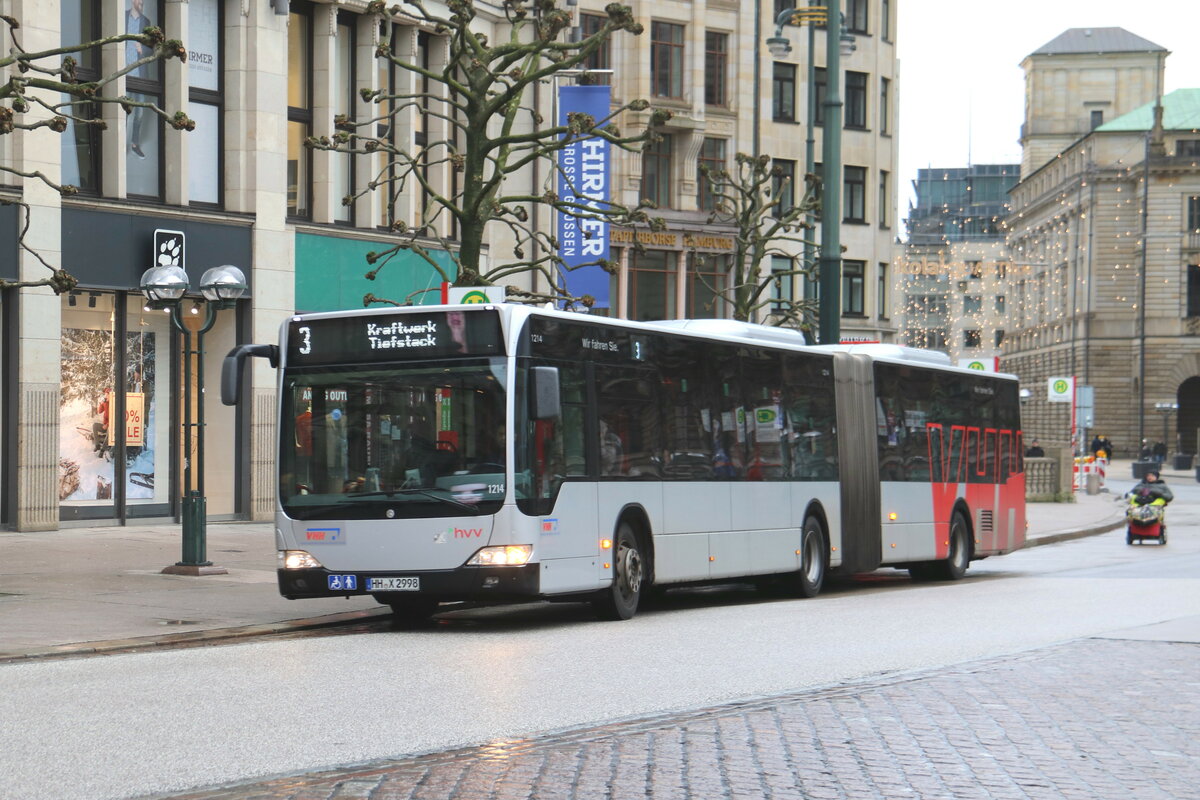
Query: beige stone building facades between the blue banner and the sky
(716, 99)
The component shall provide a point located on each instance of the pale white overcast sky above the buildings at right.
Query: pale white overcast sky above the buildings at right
(963, 89)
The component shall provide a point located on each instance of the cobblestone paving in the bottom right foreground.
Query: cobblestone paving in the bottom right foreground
(1096, 719)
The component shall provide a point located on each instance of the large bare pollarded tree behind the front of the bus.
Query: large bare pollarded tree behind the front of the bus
(484, 99)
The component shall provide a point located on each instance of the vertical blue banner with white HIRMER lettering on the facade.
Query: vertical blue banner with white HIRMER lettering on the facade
(584, 178)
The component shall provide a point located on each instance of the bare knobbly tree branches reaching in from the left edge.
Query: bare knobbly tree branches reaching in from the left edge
(35, 77)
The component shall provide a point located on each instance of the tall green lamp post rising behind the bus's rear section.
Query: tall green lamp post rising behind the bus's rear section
(838, 43)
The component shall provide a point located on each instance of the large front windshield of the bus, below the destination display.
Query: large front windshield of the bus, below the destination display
(415, 440)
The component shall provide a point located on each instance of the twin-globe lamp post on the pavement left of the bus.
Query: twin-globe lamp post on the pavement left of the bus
(165, 287)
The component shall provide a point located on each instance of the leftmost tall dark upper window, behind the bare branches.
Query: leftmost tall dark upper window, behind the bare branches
(81, 143)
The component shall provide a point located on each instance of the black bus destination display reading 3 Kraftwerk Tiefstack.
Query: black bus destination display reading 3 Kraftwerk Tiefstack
(393, 338)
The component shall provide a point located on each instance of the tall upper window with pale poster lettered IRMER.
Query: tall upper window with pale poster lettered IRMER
(205, 103)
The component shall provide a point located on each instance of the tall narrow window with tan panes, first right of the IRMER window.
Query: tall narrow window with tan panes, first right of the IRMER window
(299, 115)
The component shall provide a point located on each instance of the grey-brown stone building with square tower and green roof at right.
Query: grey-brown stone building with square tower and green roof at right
(1105, 242)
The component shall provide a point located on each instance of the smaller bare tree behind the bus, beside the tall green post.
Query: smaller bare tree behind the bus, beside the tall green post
(759, 201)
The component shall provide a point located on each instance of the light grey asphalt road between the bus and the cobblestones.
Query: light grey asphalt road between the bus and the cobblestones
(134, 725)
